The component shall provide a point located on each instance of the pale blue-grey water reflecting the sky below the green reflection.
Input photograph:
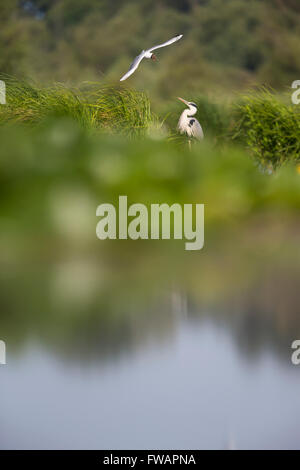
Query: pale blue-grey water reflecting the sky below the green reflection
(194, 391)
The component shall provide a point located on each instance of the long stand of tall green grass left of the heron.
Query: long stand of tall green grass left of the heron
(109, 109)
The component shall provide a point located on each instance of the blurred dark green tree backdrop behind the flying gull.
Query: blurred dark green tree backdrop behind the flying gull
(227, 44)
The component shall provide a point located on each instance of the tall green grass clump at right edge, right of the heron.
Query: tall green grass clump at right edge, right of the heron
(269, 127)
